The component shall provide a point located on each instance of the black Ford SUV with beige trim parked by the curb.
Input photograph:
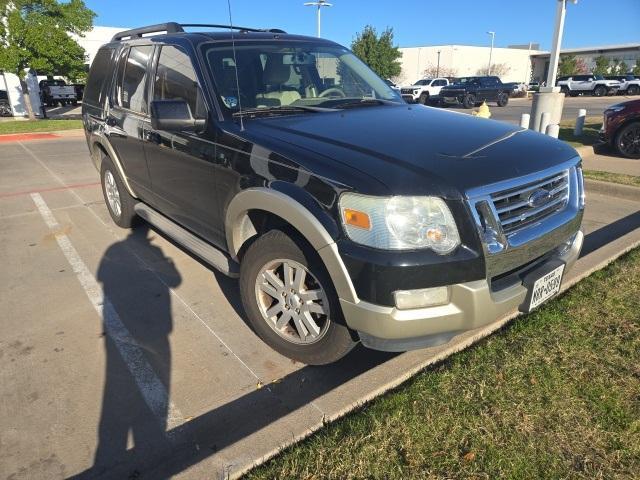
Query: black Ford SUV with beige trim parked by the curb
(348, 215)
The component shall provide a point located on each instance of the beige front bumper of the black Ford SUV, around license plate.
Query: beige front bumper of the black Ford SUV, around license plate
(472, 305)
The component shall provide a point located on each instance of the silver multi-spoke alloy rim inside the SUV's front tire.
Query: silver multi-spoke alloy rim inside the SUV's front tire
(292, 301)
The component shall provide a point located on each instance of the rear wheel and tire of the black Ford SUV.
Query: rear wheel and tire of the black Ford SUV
(119, 202)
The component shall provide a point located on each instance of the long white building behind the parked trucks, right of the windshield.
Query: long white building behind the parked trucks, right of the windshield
(510, 64)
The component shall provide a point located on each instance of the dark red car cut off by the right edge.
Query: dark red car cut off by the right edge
(621, 128)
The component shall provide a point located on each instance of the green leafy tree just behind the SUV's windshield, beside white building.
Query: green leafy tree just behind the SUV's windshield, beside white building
(378, 52)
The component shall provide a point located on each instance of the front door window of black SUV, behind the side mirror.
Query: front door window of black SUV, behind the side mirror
(176, 80)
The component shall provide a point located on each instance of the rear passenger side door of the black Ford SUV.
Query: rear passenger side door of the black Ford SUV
(128, 115)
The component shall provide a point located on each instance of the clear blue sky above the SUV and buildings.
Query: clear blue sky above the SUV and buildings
(415, 22)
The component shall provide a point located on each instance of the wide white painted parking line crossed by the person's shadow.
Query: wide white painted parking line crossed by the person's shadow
(152, 390)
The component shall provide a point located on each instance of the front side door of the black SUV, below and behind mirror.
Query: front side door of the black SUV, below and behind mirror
(181, 163)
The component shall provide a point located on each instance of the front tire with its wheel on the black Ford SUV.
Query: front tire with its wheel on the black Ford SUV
(329, 339)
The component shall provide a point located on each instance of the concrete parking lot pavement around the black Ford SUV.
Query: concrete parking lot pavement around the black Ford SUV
(122, 356)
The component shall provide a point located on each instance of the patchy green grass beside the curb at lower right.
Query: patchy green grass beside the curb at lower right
(556, 394)
